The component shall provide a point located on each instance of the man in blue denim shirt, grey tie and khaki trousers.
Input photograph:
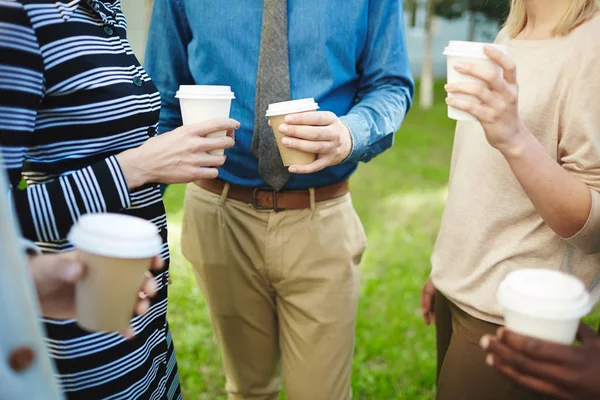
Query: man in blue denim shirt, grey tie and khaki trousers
(279, 269)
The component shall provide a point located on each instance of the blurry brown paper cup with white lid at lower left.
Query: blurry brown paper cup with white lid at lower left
(117, 251)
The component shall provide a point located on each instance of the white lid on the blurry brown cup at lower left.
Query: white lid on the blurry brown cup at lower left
(116, 235)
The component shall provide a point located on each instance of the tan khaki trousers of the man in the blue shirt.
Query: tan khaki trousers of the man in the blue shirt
(282, 289)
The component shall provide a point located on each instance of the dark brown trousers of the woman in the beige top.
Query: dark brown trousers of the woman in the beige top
(462, 372)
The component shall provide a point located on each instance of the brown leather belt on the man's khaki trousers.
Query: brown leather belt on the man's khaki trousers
(268, 199)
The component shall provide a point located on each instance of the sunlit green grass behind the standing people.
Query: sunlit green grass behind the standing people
(400, 198)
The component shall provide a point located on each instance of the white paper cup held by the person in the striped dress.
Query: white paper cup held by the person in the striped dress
(202, 103)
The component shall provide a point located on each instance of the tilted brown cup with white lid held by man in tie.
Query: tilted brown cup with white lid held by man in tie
(277, 113)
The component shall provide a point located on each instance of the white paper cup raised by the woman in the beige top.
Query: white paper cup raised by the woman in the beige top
(466, 52)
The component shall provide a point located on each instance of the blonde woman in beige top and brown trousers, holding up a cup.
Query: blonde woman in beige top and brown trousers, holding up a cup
(524, 185)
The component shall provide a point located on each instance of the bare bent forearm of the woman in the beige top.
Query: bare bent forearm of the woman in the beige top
(563, 201)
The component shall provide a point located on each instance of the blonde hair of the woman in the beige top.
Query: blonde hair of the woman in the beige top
(578, 12)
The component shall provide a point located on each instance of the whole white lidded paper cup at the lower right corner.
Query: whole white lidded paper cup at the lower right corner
(544, 304)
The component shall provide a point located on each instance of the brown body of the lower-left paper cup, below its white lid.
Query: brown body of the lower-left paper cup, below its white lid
(108, 293)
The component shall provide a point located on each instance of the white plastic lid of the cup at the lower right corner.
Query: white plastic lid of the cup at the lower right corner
(544, 293)
